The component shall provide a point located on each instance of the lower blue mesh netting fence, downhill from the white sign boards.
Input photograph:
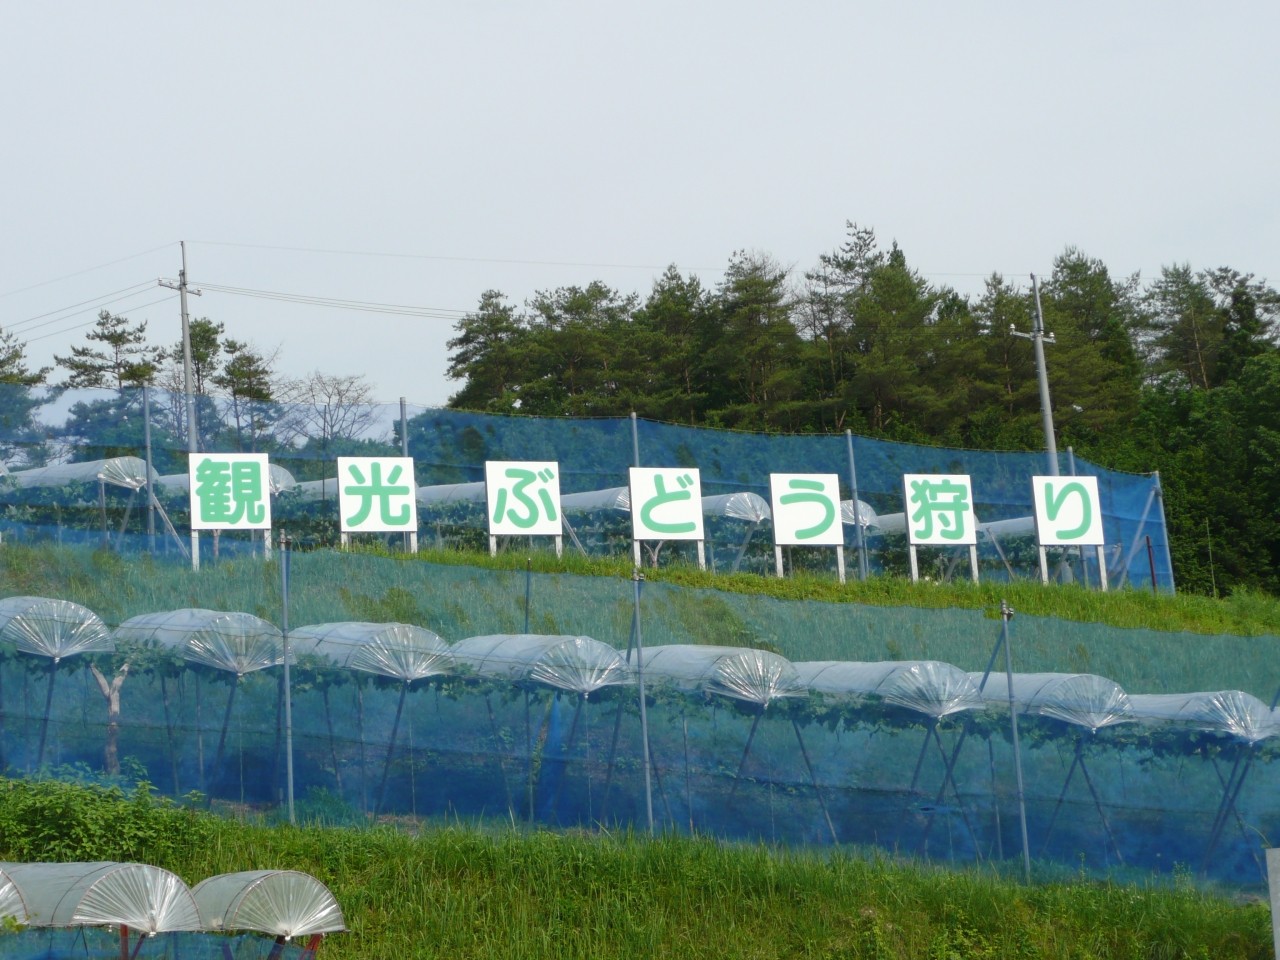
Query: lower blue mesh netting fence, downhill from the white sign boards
(801, 771)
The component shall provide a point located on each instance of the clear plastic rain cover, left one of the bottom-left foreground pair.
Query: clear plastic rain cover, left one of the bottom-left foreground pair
(147, 899)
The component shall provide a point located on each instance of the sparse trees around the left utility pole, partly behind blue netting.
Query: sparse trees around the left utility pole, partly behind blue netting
(241, 401)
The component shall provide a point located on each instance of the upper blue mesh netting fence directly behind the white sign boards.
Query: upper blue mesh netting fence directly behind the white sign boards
(452, 447)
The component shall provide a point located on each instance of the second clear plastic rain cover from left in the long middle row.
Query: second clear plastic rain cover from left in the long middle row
(239, 643)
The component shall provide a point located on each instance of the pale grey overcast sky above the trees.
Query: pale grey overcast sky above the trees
(417, 156)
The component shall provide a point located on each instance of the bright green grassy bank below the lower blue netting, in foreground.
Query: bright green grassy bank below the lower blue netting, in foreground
(463, 893)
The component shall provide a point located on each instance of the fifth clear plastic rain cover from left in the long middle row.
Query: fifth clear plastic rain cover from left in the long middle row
(738, 673)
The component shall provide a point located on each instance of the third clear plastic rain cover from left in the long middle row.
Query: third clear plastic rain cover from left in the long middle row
(400, 651)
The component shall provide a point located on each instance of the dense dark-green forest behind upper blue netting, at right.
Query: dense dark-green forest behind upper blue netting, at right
(1180, 373)
